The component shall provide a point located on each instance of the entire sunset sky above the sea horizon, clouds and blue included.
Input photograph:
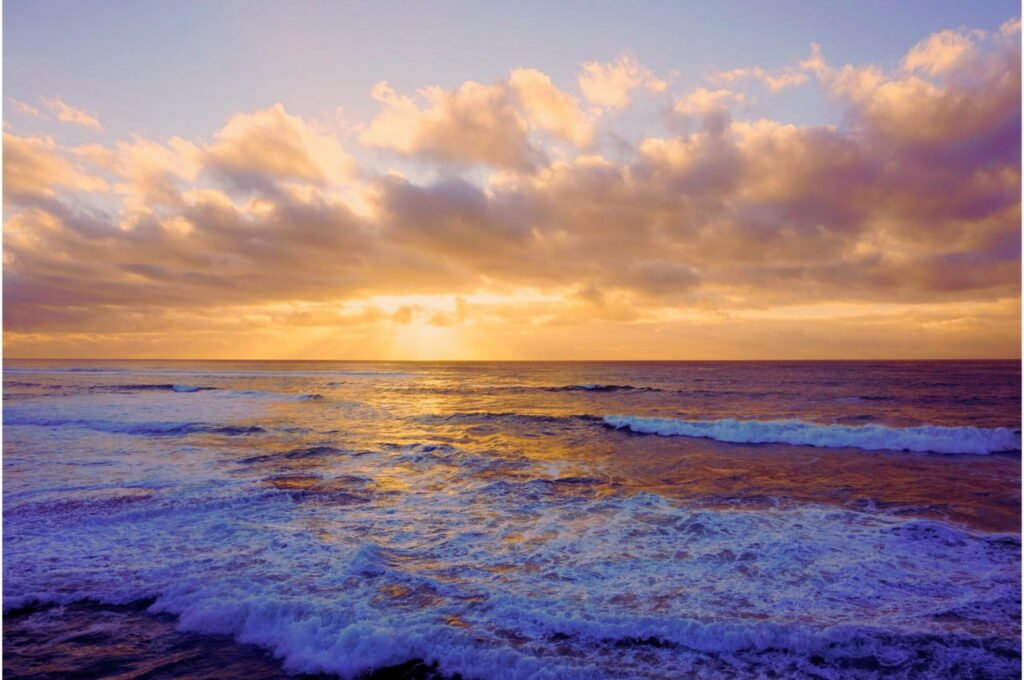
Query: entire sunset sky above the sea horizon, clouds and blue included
(399, 181)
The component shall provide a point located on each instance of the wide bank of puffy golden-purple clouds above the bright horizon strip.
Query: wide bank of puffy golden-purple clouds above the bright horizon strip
(913, 200)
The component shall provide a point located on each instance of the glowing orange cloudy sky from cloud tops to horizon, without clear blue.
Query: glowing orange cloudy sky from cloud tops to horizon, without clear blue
(618, 216)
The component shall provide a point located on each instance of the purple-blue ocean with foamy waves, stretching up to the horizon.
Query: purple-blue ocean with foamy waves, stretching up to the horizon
(819, 520)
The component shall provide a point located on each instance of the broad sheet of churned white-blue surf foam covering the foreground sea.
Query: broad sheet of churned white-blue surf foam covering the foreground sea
(357, 605)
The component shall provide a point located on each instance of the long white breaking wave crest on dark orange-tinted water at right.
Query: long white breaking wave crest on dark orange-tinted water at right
(925, 439)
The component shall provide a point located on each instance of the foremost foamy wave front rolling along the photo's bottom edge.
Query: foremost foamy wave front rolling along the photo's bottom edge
(305, 633)
